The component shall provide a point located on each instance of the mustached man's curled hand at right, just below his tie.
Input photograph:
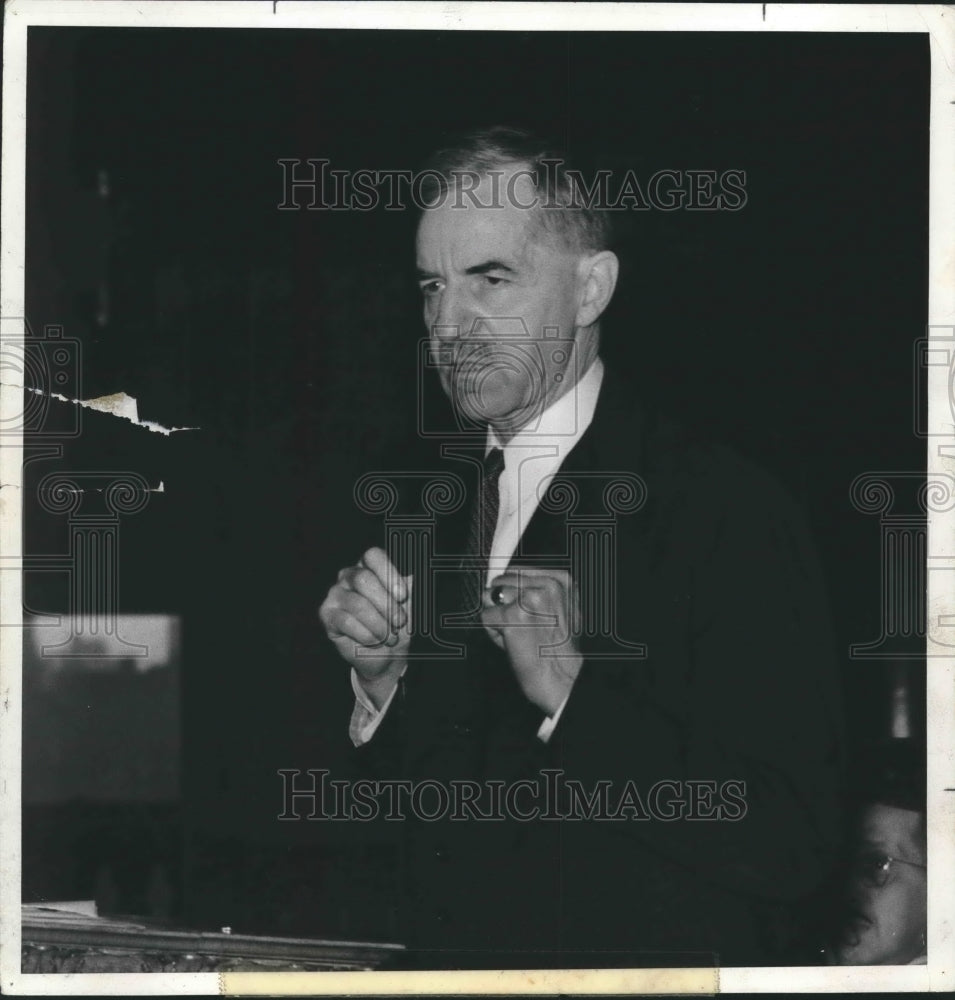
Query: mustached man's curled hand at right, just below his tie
(535, 623)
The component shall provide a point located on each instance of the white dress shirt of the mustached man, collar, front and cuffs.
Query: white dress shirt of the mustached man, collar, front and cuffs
(531, 459)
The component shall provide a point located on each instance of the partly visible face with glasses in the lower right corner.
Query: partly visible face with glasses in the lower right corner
(890, 920)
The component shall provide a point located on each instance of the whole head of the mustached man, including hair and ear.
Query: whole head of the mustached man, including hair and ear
(515, 268)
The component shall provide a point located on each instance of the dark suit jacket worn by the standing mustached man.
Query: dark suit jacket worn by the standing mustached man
(715, 574)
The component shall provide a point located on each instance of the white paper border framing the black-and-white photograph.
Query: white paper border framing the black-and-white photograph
(938, 22)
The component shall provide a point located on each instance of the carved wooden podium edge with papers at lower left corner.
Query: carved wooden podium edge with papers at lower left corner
(57, 939)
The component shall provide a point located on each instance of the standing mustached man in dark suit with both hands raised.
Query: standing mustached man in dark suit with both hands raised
(636, 633)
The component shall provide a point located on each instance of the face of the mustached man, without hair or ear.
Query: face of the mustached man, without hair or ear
(500, 303)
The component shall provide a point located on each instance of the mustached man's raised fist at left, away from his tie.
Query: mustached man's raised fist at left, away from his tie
(367, 615)
